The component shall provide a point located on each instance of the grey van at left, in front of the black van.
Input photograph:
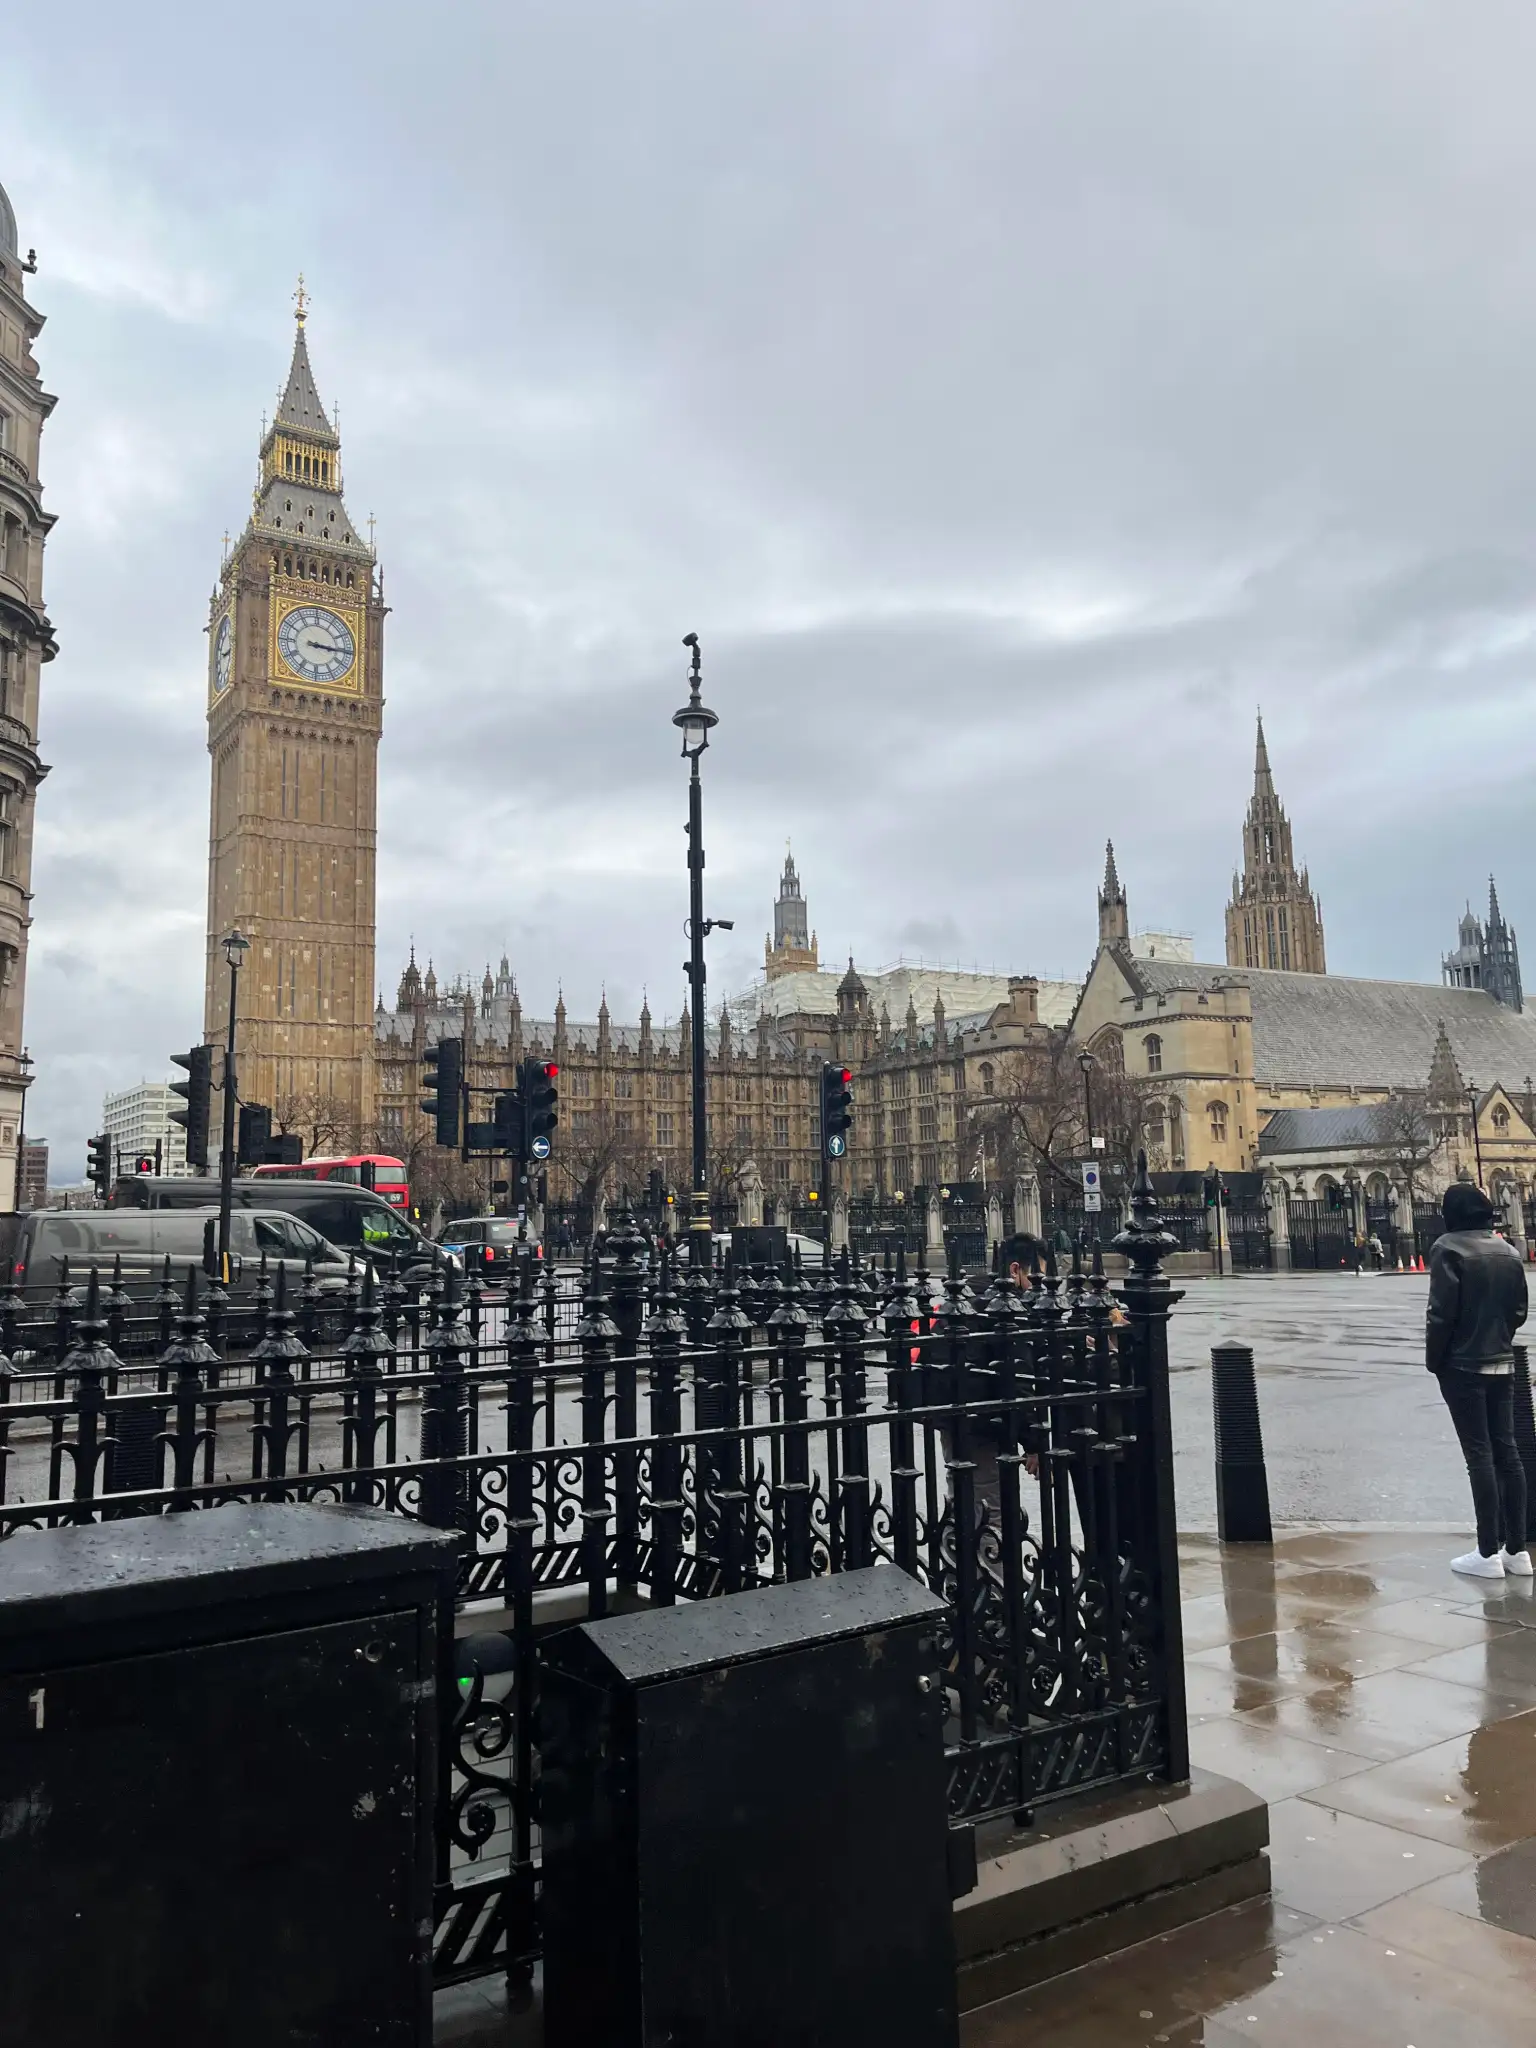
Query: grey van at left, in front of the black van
(42, 1240)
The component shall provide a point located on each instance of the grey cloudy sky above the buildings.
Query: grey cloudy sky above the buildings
(1011, 396)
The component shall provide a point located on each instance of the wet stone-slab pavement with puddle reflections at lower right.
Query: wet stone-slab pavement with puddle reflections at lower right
(1388, 1711)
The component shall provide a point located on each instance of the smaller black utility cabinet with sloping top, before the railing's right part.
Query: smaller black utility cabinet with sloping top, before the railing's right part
(744, 1824)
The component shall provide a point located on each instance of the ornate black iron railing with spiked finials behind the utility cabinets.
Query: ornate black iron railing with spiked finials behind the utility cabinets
(665, 1435)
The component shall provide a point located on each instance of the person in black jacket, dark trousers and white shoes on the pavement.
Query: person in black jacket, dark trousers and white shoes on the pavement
(1478, 1304)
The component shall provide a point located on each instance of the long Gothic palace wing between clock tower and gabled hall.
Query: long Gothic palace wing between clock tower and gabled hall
(919, 1082)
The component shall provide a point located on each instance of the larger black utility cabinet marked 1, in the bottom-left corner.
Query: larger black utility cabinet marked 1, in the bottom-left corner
(218, 1750)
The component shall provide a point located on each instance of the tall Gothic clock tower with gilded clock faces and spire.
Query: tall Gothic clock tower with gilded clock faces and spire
(296, 708)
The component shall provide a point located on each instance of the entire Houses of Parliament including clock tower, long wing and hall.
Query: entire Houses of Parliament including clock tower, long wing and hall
(1215, 1052)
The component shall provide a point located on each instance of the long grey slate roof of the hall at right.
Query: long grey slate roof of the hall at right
(1330, 1031)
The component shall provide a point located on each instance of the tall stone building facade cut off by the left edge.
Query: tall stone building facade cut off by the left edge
(26, 646)
